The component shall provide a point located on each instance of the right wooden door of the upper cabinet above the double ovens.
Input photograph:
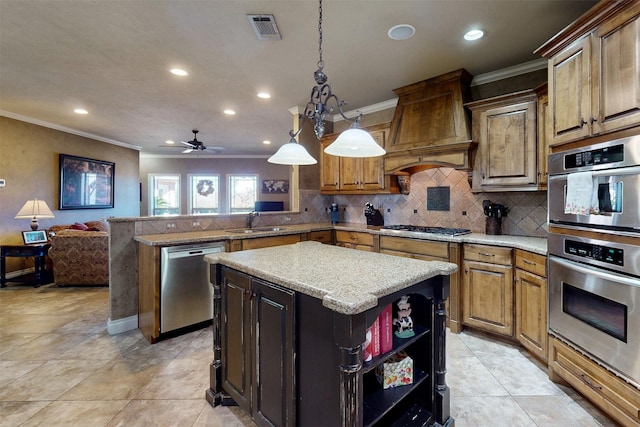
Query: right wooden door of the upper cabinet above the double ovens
(616, 71)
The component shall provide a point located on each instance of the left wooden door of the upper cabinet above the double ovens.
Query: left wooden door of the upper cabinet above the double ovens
(570, 92)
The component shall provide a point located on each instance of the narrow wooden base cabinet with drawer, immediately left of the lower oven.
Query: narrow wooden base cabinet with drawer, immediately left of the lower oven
(531, 302)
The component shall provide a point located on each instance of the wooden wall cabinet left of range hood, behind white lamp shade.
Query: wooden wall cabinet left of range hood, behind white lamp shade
(356, 175)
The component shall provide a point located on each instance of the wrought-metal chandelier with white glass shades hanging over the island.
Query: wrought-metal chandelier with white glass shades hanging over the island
(354, 142)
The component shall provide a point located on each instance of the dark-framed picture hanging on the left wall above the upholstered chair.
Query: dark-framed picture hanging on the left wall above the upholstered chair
(85, 183)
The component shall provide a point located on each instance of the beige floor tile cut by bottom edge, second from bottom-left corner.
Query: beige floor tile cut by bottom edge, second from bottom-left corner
(65, 414)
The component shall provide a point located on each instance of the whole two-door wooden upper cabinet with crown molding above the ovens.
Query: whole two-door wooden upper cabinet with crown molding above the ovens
(594, 73)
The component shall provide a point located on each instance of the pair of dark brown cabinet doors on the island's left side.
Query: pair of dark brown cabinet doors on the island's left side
(258, 357)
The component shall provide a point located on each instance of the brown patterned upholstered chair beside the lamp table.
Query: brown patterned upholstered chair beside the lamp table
(80, 254)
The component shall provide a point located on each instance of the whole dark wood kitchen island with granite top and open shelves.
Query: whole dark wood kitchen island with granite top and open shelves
(289, 325)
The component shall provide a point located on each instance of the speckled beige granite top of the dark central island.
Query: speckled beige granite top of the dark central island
(347, 281)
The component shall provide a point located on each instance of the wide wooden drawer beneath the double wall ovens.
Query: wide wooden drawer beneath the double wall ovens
(617, 398)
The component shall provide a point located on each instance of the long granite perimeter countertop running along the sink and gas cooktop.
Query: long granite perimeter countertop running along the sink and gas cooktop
(532, 244)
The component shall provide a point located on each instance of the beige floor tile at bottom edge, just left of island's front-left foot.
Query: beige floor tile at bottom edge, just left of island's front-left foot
(165, 413)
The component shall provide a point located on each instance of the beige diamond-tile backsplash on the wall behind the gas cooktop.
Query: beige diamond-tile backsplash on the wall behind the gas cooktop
(527, 210)
